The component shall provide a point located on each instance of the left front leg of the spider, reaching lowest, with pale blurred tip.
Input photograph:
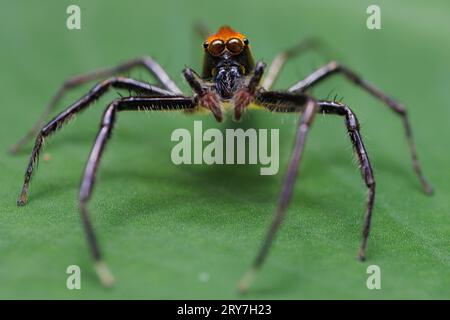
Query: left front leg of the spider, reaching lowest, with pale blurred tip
(106, 127)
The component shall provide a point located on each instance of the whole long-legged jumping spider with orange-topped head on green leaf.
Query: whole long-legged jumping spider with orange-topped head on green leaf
(230, 80)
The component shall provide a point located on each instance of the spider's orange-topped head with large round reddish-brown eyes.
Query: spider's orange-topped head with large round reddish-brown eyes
(227, 54)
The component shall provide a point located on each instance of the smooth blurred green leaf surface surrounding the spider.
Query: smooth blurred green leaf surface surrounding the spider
(191, 231)
